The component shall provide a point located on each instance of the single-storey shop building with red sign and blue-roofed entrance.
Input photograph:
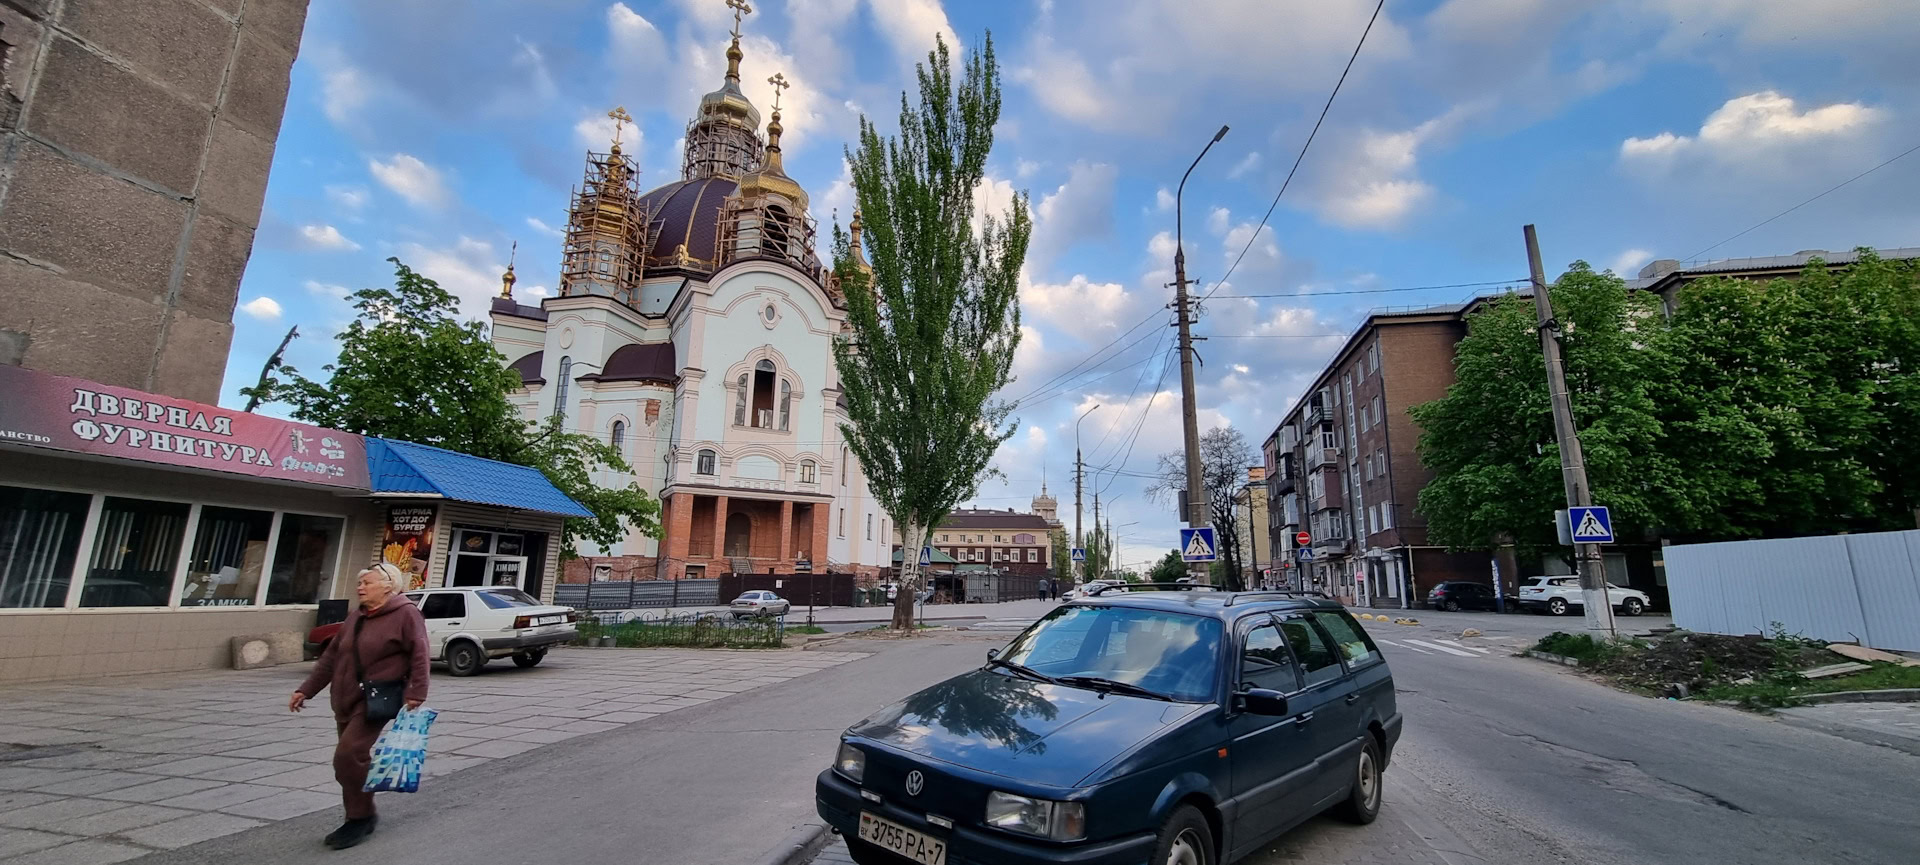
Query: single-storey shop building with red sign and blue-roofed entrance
(143, 532)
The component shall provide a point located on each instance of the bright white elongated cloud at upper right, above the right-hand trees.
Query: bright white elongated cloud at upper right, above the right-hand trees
(1760, 122)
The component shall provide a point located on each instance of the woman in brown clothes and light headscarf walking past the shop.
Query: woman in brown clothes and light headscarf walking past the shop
(373, 665)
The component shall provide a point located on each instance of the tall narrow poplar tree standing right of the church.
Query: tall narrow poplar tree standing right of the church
(934, 321)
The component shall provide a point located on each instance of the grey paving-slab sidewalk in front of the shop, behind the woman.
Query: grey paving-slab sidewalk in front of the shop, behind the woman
(110, 770)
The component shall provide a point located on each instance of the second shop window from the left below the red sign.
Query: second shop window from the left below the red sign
(137, 551)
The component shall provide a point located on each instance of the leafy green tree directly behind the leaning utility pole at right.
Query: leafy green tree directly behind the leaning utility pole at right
(1491, 440)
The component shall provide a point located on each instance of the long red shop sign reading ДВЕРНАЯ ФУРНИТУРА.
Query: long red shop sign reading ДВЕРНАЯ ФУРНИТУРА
(66, 413)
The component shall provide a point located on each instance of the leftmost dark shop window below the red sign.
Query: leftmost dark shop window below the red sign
(39, 544)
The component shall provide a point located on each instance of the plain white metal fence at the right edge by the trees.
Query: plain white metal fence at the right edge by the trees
(1838, 588)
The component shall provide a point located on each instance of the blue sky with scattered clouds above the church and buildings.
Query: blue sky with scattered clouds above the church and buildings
(444, 131)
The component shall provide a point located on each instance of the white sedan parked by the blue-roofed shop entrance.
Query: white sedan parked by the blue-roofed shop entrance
(469, 626)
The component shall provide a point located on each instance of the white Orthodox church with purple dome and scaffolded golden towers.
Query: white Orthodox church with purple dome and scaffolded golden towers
(694, 331)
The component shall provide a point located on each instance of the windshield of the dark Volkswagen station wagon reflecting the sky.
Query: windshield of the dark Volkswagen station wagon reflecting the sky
(1166, 653)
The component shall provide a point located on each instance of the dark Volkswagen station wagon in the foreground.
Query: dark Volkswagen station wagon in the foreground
(1174, 726)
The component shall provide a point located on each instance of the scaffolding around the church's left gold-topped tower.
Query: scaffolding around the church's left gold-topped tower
(608, 231)
